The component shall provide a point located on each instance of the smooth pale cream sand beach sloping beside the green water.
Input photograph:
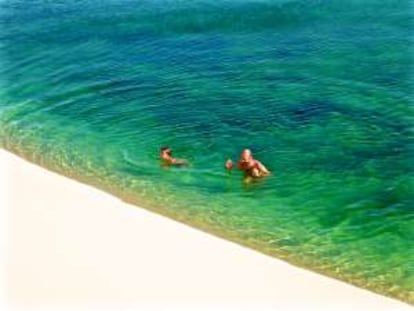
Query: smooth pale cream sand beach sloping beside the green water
(71, 245)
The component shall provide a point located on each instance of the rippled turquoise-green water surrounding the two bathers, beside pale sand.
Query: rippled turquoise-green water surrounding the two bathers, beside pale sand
(319, 90)
